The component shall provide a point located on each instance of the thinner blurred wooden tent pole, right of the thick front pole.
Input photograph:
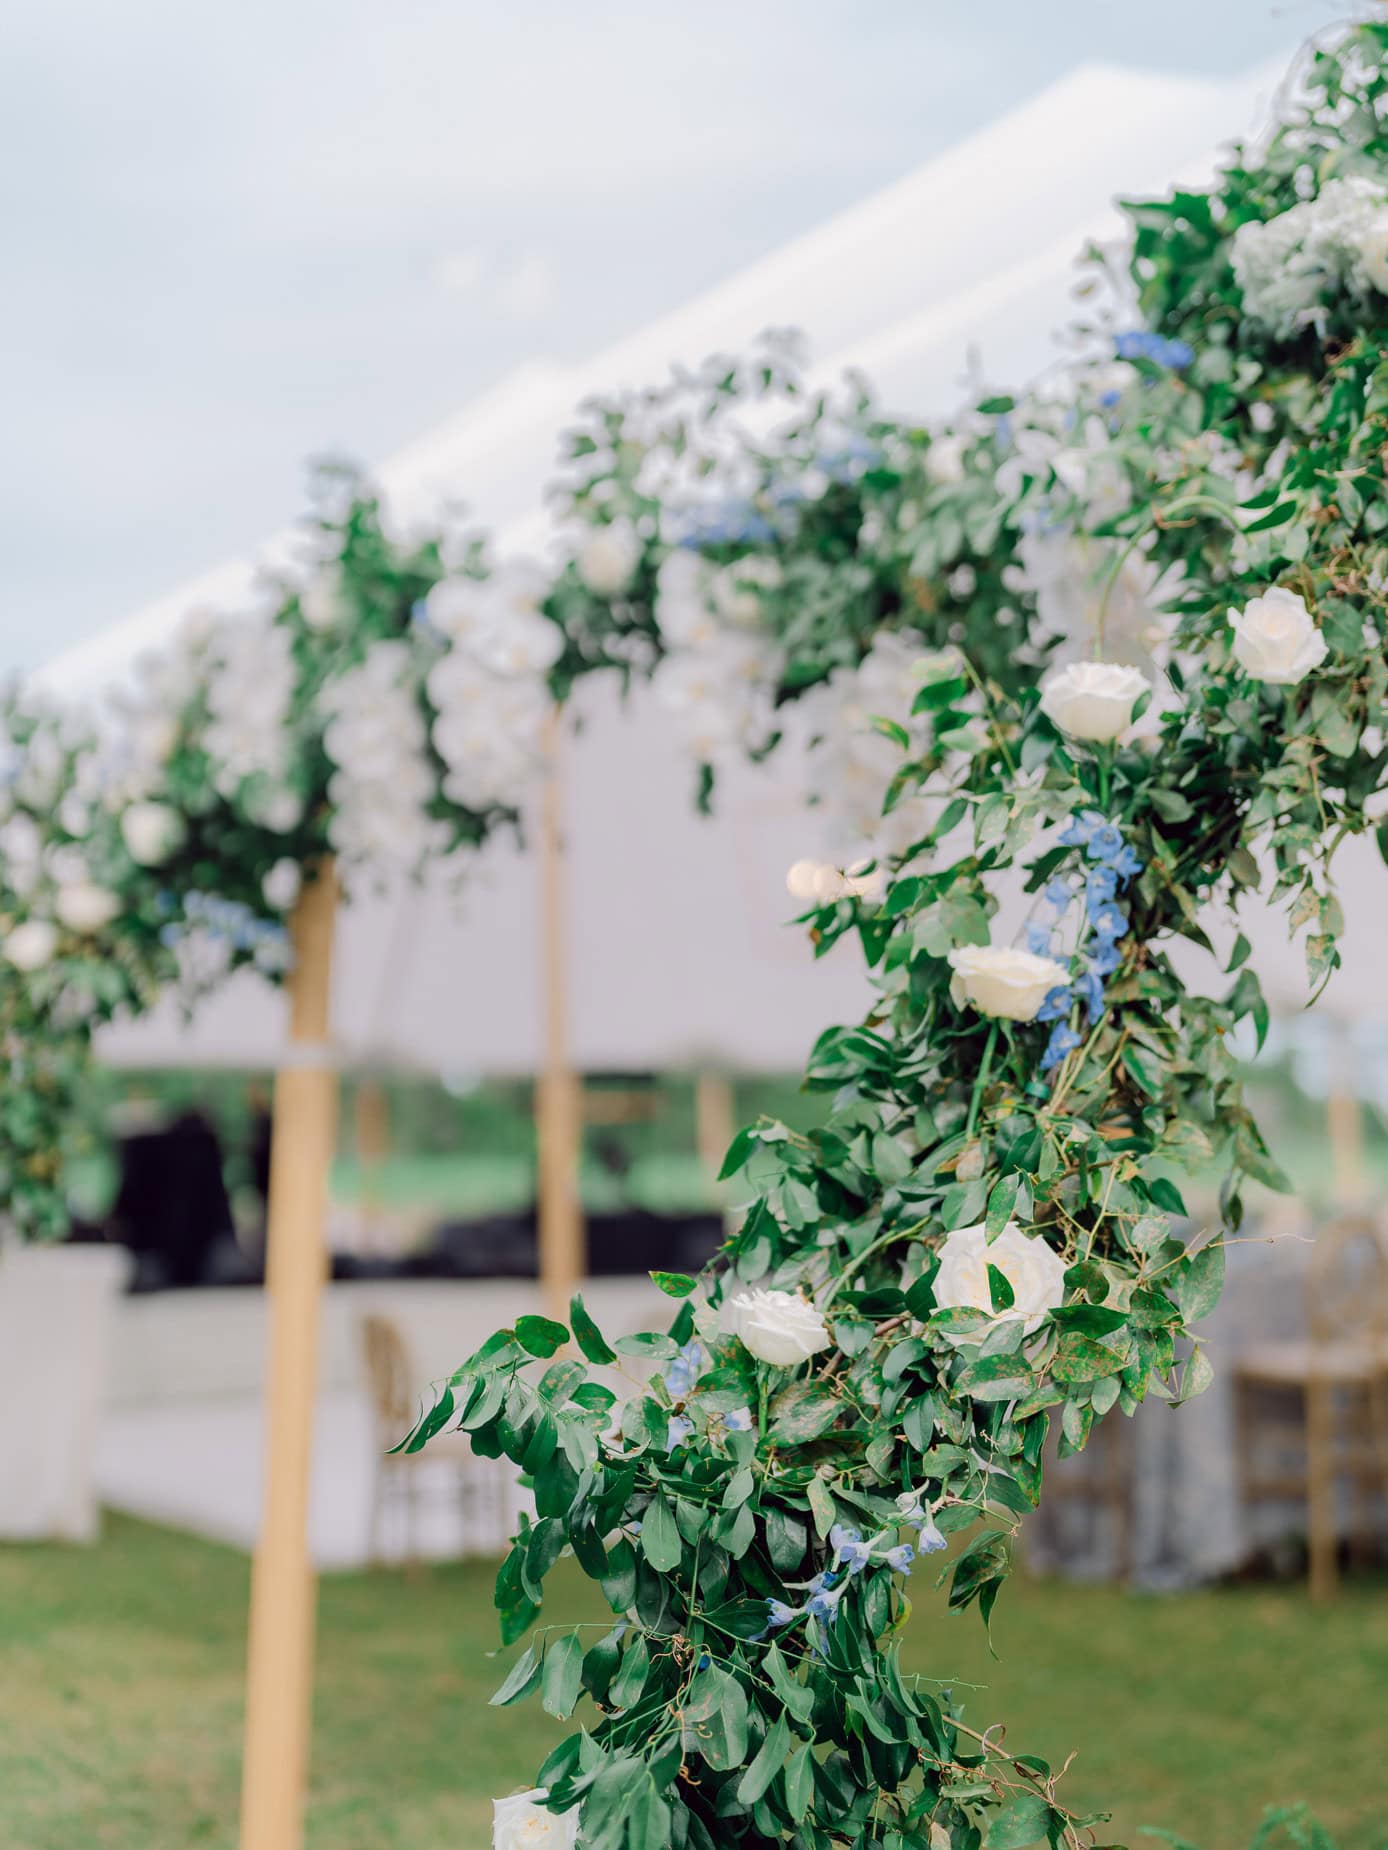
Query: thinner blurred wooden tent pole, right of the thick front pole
(560, 1098)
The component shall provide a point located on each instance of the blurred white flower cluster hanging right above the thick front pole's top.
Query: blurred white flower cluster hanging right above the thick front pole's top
(375, 735)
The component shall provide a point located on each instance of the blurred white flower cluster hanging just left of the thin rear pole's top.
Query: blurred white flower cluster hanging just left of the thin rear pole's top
(490, 691)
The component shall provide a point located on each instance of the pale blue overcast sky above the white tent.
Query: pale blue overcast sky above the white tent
(243, 236)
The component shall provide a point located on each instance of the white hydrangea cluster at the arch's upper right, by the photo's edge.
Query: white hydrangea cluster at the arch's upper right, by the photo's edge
(1291, 267)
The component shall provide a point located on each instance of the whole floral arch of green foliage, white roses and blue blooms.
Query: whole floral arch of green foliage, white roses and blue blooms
(984, 1239)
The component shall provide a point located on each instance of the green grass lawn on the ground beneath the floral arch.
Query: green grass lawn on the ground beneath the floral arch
(121, 1701)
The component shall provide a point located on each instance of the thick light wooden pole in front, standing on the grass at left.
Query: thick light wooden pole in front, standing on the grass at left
(280, 1670)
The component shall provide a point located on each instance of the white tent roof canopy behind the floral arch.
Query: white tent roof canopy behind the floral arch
(676, 941)
